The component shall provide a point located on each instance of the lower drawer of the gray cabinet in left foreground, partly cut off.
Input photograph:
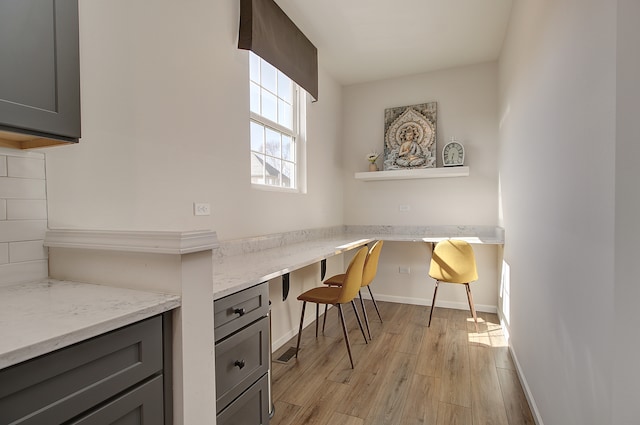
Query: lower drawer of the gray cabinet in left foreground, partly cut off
(140, 406)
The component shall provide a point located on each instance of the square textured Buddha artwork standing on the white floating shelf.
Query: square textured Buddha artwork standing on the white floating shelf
(410, 136)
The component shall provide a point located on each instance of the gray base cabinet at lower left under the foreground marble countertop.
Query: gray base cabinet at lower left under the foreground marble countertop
(115, 378)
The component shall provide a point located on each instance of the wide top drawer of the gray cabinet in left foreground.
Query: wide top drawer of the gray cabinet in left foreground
(61, 385)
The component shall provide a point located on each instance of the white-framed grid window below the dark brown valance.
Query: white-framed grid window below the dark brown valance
(275, 124)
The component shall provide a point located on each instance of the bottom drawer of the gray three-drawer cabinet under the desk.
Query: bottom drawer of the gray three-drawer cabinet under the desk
(252, 408)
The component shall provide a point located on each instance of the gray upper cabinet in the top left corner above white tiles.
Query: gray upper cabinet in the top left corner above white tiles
(39, 73)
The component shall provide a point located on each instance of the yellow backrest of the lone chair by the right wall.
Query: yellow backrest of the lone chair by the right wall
(453, 261)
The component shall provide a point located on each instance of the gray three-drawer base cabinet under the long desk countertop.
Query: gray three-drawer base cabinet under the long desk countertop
(243, 357)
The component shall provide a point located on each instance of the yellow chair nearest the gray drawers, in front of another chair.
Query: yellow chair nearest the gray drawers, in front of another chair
(337, 296)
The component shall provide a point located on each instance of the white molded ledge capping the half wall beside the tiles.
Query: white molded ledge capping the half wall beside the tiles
(156, 242)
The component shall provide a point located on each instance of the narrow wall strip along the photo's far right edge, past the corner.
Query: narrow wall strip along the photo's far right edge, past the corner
(626, 375)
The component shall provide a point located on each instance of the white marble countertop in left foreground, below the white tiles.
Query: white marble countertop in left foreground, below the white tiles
(40, 317)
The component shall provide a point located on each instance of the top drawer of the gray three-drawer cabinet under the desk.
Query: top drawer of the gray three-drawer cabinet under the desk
(238, 310)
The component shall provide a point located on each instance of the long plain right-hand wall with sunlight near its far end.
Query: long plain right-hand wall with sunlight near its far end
(557, 170)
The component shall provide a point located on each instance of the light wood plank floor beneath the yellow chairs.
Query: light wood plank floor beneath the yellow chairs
(408, 374)
